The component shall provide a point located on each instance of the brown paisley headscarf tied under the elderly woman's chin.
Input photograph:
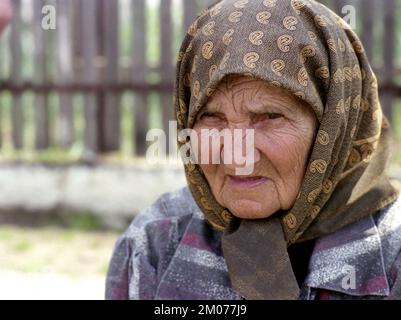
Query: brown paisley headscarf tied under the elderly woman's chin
(301, 46)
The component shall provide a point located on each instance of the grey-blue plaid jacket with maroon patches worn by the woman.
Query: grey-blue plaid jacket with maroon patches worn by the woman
(170, 252)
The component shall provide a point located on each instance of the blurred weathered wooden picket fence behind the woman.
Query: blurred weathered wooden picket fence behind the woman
(102, 49)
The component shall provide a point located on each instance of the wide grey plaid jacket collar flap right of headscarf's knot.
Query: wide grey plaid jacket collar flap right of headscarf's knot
(350, 261)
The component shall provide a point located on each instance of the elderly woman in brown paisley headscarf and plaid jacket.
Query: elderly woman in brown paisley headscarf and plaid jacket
(318, 217)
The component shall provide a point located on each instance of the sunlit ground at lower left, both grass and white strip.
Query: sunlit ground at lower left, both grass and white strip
(53, 263)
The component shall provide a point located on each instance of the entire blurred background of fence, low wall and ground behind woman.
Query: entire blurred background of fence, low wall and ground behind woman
(77, 97)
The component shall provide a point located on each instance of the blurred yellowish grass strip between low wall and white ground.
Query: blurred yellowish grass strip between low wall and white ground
(65, 251)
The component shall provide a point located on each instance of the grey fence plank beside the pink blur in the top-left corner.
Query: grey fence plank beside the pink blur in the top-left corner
(17, 119)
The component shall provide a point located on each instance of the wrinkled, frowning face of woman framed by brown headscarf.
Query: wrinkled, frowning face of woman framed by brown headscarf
(284, 129)
